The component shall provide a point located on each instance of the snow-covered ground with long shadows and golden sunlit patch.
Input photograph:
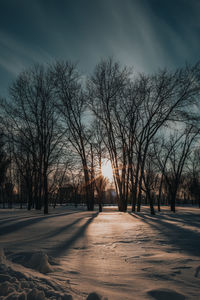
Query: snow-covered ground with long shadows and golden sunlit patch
(69, 254)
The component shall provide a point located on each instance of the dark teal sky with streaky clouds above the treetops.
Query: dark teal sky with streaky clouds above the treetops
(145, 34)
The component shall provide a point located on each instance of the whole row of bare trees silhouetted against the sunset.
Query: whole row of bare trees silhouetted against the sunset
(57, 124)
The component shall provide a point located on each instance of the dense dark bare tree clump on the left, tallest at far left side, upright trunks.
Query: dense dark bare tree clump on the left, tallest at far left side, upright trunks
(32, 123)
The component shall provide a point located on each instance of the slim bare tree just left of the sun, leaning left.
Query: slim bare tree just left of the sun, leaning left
(71, 104)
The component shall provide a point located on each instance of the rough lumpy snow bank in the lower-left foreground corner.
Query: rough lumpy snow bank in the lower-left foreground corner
(21, 283)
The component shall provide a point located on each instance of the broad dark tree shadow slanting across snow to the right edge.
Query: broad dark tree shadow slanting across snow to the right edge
(177, 236)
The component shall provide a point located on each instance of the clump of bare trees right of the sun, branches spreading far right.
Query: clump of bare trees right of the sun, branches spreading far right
(132, 111)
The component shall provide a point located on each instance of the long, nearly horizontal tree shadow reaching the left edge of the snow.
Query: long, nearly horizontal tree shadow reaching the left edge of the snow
(15, 226)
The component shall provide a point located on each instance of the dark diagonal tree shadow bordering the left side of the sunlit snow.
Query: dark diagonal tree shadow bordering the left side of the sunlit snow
(64, 246)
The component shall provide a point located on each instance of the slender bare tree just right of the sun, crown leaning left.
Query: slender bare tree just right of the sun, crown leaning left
(105, 97)
